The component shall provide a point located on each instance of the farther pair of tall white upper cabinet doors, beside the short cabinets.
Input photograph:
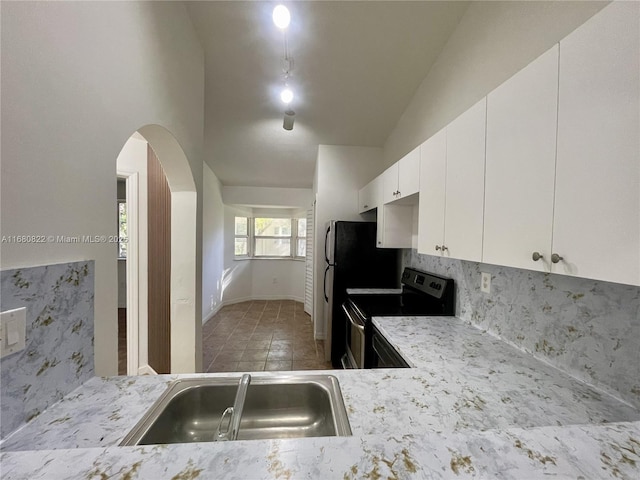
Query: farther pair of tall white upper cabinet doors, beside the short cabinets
(452, 188)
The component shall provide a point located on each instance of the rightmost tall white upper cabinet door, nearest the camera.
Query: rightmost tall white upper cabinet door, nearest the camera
(597, 207)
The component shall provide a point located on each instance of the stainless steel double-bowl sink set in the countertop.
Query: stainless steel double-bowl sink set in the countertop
(283, 406)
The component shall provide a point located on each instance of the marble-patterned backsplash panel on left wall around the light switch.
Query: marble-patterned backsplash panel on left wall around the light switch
(58, 354)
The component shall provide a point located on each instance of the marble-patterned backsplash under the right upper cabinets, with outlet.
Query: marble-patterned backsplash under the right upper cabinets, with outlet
(587, 328)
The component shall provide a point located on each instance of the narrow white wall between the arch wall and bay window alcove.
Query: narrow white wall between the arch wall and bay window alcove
(212, 244)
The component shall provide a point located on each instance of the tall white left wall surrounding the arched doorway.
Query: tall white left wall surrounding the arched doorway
(78, 78)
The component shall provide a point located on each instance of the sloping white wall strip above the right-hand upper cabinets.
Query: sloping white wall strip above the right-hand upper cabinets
(491, 43)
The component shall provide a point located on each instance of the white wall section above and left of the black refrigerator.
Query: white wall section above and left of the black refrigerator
(340, 173)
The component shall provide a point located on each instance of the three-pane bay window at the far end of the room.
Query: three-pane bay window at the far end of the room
(264, 237)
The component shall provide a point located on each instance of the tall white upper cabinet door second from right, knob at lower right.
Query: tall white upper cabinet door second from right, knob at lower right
(520, 166)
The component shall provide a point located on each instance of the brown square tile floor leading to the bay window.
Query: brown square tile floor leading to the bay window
(261, 335)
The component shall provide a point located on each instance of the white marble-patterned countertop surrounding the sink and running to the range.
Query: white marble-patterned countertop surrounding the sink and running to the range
(472, 405)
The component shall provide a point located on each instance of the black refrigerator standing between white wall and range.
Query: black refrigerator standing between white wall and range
(352, 261)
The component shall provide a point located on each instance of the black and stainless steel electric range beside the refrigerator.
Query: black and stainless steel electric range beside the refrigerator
(423, 294)
